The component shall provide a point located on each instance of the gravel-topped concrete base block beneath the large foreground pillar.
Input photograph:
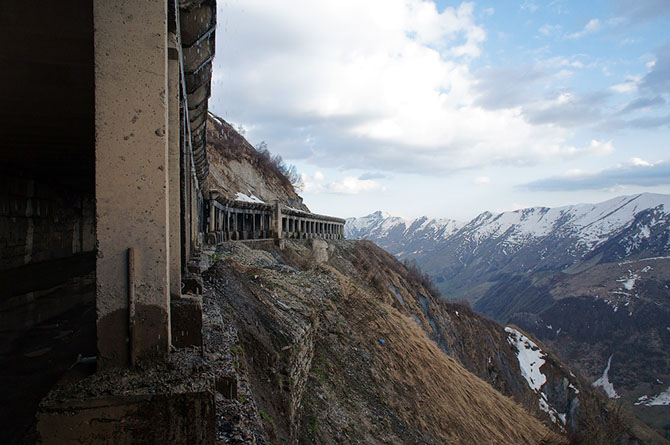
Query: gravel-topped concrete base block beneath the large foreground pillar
(165, 403)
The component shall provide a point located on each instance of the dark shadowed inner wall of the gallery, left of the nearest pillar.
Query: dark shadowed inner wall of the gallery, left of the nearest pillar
(47, 291)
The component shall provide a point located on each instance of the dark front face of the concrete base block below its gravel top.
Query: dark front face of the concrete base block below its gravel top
(183, 418)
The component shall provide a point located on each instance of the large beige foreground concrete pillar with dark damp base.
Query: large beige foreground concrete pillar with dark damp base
(131, 156)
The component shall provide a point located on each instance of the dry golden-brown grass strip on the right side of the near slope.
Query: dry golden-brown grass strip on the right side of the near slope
(428, 388)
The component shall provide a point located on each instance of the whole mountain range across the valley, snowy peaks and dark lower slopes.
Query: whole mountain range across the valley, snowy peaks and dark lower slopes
(590, 280)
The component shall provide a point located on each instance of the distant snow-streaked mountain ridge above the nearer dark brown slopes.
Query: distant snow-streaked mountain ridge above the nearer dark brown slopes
(524, 240)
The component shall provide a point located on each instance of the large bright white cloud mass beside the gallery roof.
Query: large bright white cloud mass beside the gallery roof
(395, 92)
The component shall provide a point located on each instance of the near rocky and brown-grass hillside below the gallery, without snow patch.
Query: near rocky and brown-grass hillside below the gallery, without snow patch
(312, 335)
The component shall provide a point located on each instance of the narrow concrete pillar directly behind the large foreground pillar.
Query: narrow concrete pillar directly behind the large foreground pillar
(174, 168)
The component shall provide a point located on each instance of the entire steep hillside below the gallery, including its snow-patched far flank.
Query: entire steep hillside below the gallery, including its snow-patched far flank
(343, 344)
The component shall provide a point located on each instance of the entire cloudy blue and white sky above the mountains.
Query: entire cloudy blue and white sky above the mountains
(448, 109)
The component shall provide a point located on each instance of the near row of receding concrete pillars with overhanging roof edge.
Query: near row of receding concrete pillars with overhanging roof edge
(150, 164)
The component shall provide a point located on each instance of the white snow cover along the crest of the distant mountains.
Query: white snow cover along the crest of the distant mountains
(587, 225)
